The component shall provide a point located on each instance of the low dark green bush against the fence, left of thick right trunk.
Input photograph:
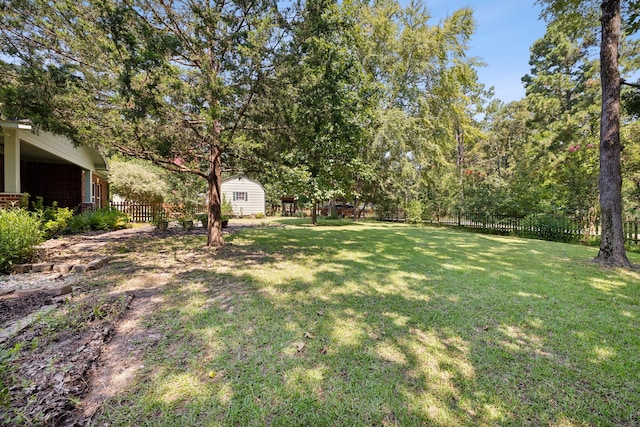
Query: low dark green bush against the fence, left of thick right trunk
(550, 227)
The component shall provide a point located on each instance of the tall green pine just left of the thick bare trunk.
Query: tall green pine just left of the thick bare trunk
(563, 95)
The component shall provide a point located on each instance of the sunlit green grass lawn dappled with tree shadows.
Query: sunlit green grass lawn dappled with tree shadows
(383, 324)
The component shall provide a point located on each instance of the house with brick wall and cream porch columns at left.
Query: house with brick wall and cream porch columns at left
(49, 166)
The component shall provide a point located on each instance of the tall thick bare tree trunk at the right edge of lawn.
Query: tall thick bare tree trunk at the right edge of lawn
(612, 250)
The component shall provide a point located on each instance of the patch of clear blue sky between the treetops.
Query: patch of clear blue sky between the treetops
(505, 30)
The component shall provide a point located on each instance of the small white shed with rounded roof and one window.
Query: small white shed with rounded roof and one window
(247, 197)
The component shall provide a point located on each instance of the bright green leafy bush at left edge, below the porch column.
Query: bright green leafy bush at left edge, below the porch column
(20, 233)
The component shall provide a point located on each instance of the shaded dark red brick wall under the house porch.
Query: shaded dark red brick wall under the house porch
(54, 182)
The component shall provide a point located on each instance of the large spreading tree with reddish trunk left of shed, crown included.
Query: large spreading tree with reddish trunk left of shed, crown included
(172, 81)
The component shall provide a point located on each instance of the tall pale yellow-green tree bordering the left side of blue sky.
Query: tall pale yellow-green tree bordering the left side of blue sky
(427, 82)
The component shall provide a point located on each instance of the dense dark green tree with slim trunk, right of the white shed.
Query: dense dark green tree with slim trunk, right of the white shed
(326, 102)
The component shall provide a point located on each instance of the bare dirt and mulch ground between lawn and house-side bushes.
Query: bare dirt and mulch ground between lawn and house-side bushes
(60, 369)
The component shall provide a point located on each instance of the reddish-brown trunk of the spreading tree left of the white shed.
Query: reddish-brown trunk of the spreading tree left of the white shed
(214, 211)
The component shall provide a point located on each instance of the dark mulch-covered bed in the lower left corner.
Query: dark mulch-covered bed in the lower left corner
(47, 365)
